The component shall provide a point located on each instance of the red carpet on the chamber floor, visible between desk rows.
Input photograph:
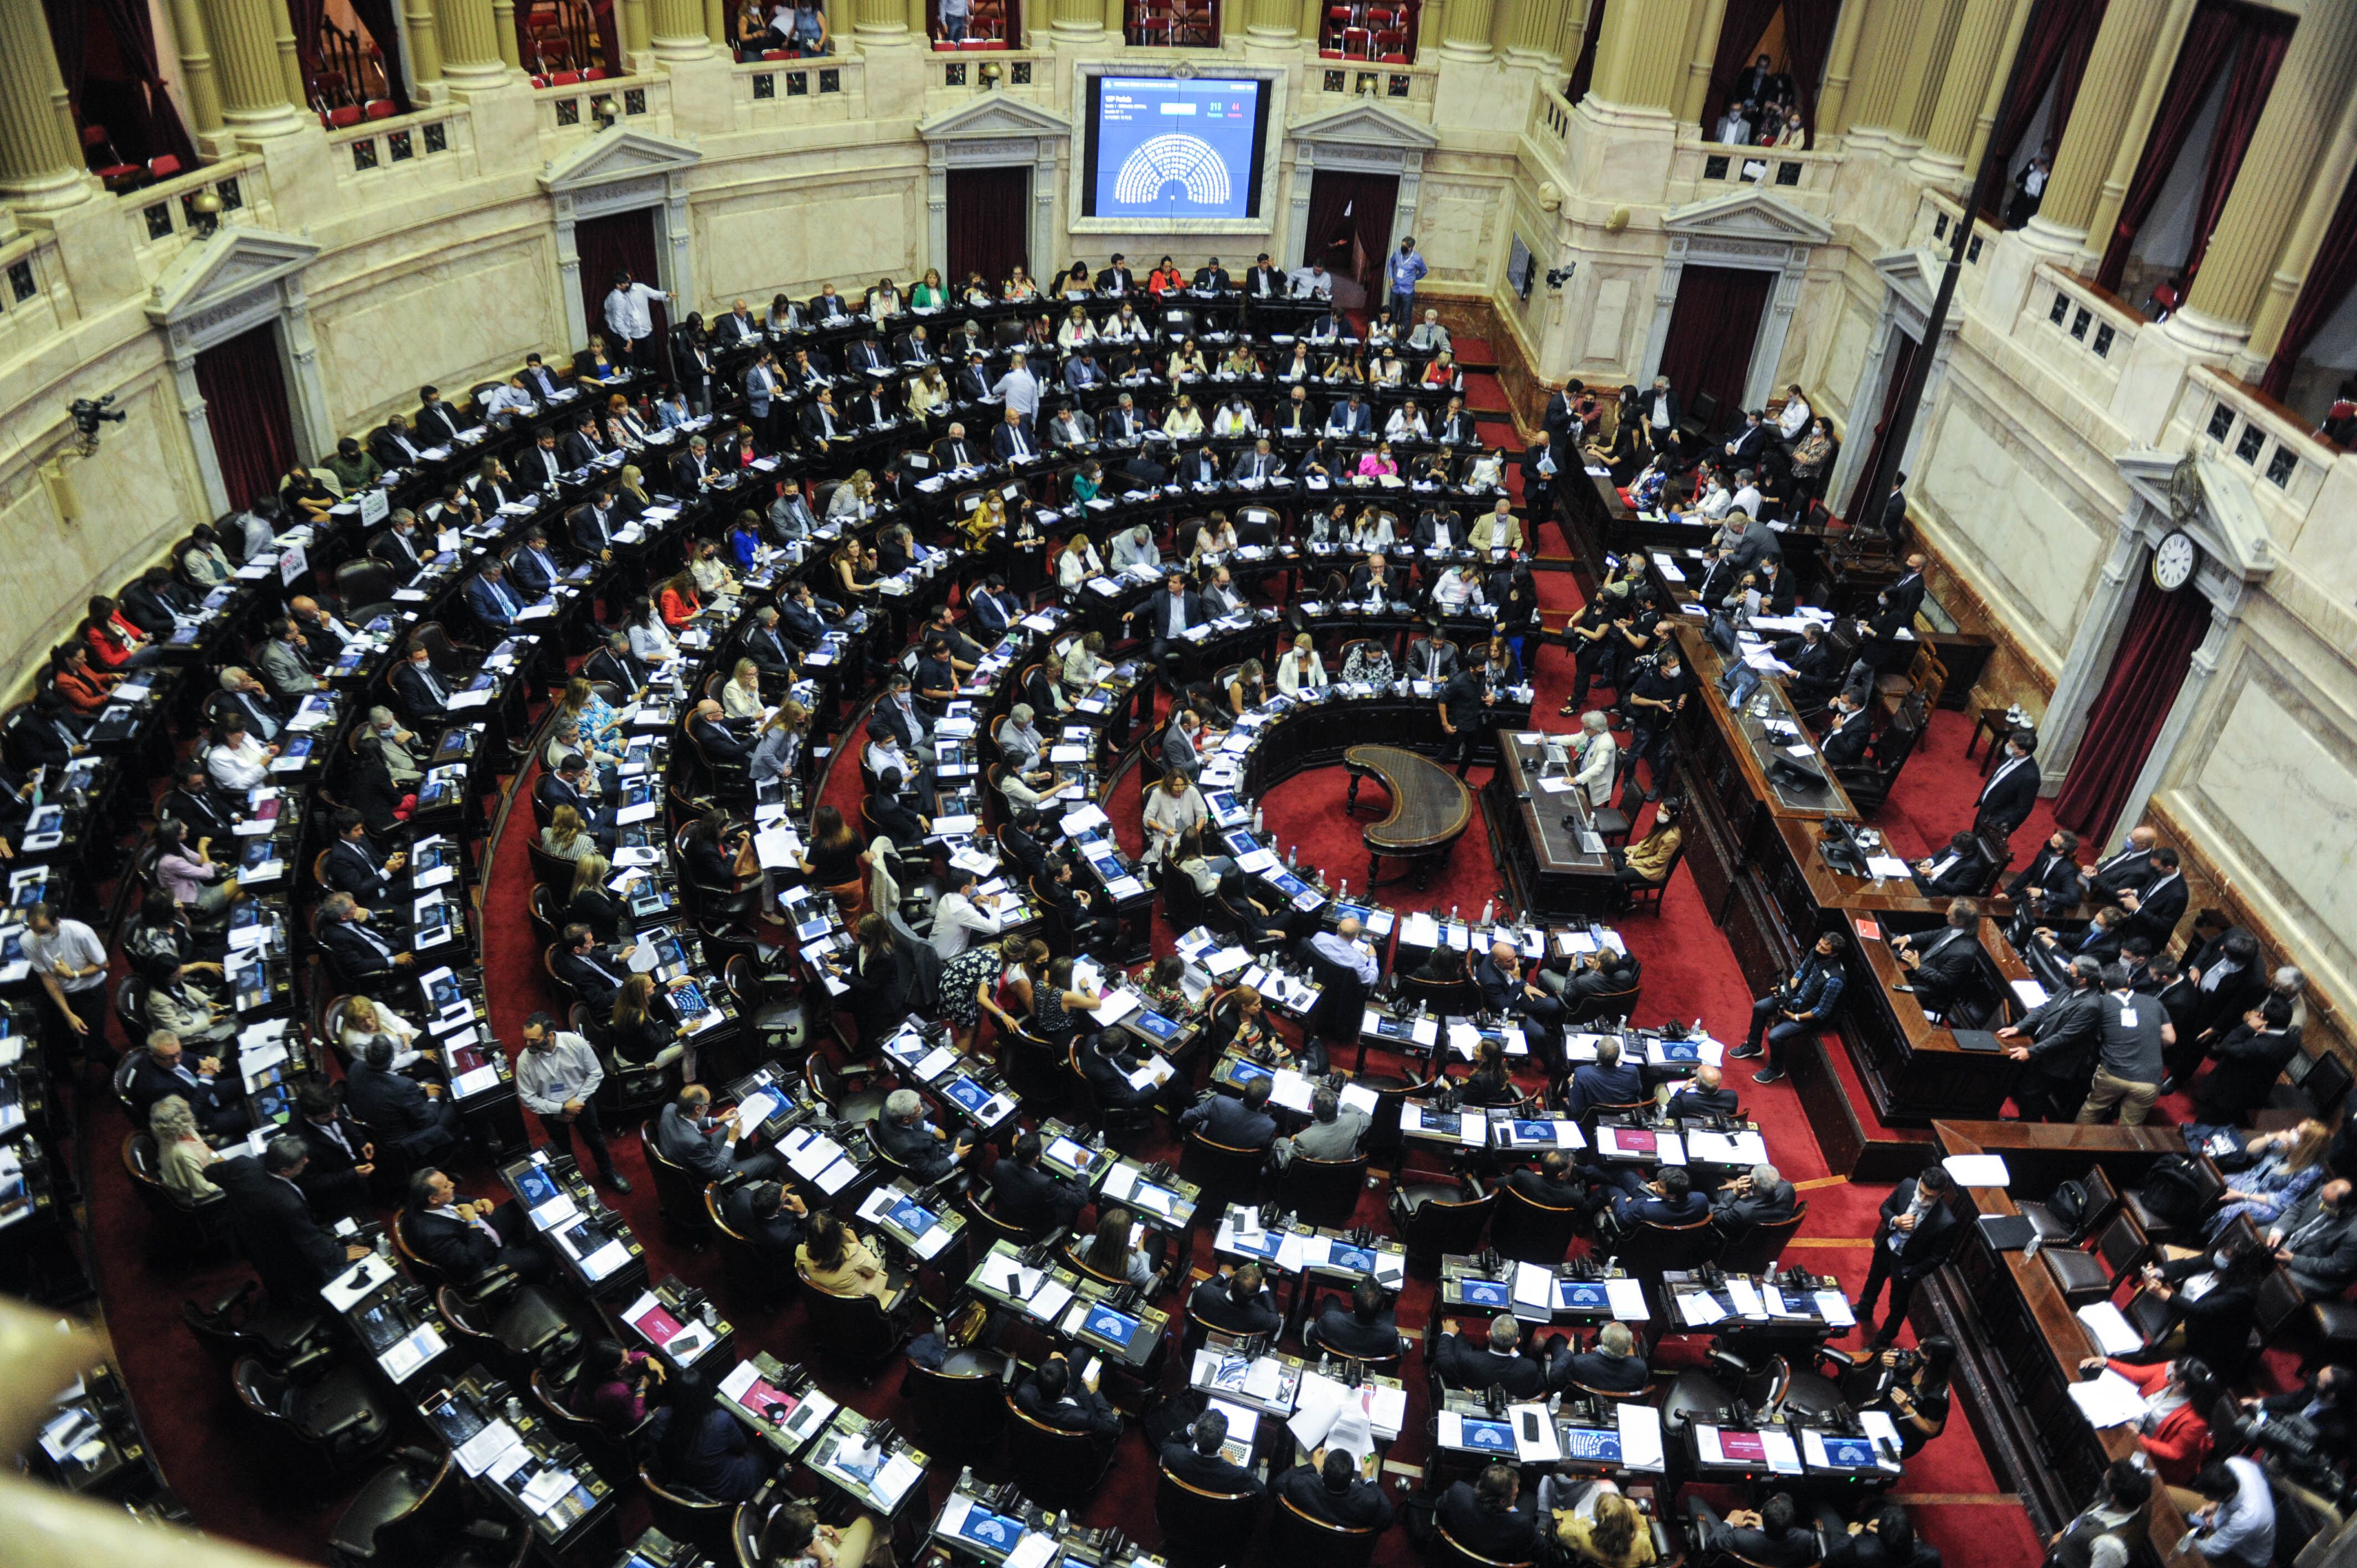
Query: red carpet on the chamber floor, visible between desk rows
(244, 1489)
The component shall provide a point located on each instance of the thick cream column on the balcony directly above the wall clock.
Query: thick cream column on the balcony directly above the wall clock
(2271, 183)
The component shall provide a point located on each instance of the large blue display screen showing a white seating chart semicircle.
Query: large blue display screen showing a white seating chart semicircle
(1163, 147)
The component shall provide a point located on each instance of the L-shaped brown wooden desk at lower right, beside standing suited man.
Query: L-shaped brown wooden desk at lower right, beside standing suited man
(2019, 1343)
